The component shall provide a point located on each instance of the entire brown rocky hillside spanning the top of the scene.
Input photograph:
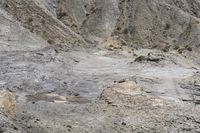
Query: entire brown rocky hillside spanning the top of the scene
(146, 23)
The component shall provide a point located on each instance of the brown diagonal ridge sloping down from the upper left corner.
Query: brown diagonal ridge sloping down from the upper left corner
(33, 16)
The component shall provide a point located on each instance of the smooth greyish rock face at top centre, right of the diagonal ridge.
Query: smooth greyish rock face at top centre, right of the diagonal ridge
(91, 17)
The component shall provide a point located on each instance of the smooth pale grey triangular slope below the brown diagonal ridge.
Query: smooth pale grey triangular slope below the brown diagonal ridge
(14, 37)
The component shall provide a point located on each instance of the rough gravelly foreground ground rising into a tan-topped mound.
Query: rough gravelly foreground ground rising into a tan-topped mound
(123, 107)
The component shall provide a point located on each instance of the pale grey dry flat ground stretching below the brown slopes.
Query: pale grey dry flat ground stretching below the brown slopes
(98, 91)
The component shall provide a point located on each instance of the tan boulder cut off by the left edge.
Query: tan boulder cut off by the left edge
(7, 103)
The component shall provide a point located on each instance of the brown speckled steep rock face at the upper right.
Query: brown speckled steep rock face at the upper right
(154, 23)
